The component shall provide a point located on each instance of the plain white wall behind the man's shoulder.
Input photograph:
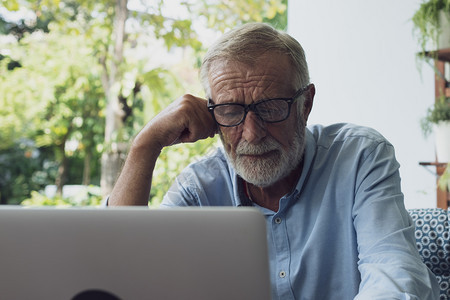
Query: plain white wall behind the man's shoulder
(361, 56)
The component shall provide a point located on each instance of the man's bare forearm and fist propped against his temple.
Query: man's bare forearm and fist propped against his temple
(184, 121)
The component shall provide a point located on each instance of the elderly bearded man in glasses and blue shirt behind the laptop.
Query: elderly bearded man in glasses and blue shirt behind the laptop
(336, 222)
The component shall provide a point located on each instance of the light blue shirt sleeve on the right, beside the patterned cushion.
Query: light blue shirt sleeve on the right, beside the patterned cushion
(389, 263)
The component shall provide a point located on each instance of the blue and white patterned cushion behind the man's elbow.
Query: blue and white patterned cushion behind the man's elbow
(432, 240)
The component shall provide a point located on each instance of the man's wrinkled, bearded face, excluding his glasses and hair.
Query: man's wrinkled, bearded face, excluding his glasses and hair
(261, 153)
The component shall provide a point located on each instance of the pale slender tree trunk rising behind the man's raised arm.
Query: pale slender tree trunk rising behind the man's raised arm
(114, 154)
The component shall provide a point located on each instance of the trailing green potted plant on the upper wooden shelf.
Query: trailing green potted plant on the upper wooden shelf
(432, 23)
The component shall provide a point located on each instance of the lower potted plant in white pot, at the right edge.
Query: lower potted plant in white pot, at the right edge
(438, 121)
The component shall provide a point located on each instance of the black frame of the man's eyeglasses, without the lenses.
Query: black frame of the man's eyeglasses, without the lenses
(252, 107)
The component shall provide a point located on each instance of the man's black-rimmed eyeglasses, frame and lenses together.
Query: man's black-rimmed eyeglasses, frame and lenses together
(269, 110)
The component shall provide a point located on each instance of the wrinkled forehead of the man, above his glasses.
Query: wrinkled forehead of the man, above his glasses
(269, 76)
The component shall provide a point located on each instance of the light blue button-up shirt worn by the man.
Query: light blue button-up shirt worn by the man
(342, 233)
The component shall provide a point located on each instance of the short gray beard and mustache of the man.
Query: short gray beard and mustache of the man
(266, 171)
